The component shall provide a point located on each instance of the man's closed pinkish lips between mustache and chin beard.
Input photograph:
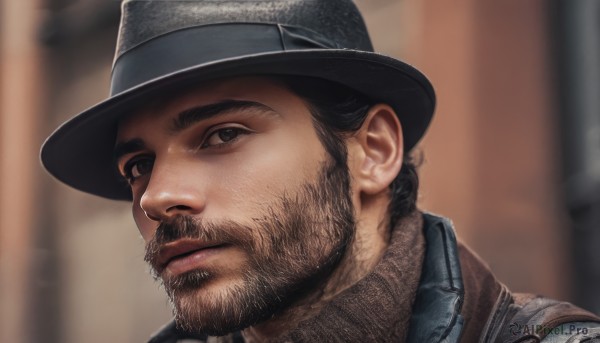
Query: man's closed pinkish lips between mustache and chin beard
(183, 255)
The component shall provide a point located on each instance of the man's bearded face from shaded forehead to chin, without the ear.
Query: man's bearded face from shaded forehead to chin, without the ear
(242, 210)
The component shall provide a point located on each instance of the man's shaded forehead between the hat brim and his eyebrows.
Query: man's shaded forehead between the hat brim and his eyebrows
(264, 90)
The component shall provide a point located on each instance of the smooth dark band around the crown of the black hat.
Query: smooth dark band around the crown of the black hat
(186, 48)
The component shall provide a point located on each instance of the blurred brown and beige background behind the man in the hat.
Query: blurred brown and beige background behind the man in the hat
(512, 155)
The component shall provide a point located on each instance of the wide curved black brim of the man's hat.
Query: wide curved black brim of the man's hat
(80, 152)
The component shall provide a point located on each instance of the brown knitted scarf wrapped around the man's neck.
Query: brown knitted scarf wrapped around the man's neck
(378, 307)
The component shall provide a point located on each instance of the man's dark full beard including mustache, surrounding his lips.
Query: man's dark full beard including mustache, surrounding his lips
(291, 248)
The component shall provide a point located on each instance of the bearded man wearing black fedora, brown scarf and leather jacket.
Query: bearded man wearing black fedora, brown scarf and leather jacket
(266, 152)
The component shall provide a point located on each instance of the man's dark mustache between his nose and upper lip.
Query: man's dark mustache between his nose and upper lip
(187, 227)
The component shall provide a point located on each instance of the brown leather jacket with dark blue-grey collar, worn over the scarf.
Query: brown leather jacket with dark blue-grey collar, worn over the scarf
(460, 300)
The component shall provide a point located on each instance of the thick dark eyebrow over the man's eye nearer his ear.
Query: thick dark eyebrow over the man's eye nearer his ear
(187, 118)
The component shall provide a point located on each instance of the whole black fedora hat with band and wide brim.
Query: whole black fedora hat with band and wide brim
(169, 43)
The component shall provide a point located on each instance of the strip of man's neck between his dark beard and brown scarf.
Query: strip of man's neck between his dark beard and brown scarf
(365, 251)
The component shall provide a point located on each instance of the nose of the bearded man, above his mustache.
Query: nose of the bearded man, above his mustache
(173, 189)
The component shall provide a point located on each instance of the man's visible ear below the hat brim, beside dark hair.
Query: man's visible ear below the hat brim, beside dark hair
(378, 151)
